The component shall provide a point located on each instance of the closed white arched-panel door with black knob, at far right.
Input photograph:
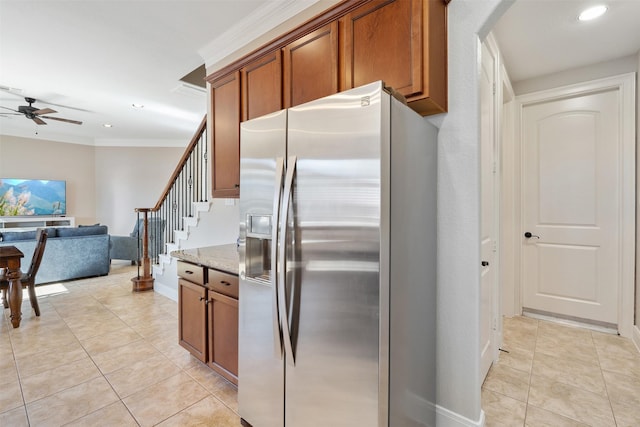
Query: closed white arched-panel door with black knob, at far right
(571, 206)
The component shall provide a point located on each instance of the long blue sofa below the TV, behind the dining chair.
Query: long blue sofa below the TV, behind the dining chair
(70, 253)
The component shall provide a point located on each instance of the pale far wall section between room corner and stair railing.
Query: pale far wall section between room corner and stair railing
(130, 177)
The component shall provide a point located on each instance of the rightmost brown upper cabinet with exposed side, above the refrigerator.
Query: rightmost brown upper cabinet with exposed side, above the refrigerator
(403, 43)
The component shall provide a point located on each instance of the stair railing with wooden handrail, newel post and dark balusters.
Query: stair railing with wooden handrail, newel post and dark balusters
(158, 225)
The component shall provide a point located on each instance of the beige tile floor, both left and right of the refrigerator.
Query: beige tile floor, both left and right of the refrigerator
(101, 356)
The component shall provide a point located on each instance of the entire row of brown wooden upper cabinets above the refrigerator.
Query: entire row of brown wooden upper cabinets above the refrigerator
(402, 42)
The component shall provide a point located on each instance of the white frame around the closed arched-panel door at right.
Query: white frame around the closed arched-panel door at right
(625, 85)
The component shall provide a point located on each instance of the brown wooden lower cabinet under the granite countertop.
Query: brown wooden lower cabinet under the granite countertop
(208, 317)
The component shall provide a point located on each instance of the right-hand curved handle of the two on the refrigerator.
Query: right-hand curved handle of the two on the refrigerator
(282, 244)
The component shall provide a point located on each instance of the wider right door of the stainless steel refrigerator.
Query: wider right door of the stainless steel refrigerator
(333, 260)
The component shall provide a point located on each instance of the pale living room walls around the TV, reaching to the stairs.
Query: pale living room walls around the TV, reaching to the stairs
(104, 184)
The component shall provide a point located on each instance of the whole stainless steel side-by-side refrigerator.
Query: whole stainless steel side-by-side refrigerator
(338, 264)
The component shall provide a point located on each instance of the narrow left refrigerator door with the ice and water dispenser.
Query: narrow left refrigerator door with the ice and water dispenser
(261, 365)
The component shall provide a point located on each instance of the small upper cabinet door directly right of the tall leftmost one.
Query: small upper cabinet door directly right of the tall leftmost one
(262, 86)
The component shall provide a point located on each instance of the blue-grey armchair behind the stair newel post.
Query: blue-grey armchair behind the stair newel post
(126, 247)
